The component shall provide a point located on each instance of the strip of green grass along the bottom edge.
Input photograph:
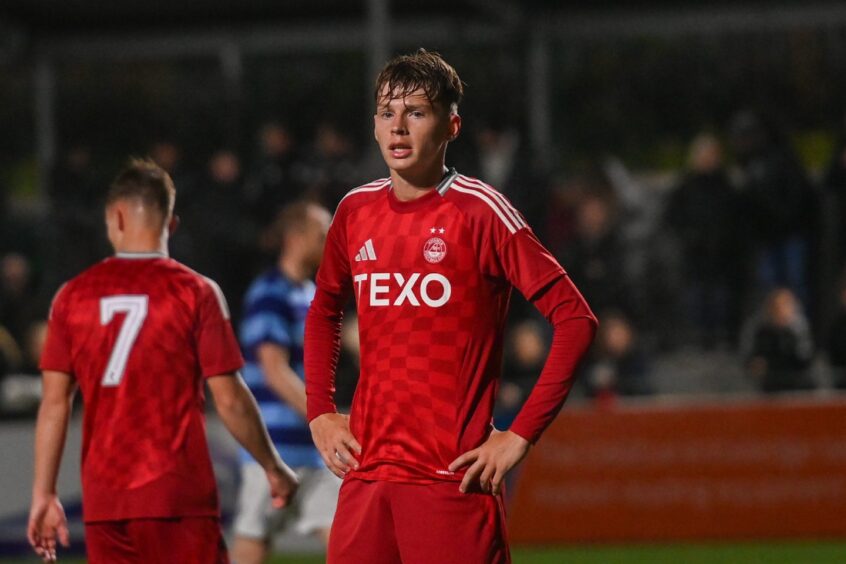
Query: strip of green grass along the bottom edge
(829, 552)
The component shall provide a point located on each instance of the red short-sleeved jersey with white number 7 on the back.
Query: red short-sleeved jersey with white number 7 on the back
(140, 333)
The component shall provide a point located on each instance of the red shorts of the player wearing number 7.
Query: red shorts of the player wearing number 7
(187, 540)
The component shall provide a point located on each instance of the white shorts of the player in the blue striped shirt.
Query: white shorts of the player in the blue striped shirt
(312, 509)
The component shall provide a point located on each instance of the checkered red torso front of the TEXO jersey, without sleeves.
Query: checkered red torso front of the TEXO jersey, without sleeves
(424, 369)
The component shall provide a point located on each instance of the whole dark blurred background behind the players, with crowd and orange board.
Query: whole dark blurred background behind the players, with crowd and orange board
(685, 161)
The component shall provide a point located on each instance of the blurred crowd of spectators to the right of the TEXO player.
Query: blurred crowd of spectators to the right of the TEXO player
(740, 253)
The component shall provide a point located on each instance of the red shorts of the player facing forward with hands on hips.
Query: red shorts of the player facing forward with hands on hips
(391, 523)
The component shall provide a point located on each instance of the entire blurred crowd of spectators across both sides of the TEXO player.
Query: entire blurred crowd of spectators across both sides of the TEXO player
(731, 255)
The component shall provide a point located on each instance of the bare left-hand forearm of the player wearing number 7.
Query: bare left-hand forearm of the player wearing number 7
(50, 434)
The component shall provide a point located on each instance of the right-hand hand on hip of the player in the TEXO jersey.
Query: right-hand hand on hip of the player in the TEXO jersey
(492, 461)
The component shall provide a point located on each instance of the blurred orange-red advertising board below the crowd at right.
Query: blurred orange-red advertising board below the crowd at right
(657, 471)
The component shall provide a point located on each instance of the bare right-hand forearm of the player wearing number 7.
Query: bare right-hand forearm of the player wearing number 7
(240, 415)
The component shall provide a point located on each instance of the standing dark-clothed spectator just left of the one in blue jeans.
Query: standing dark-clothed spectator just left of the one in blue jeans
(703, 214)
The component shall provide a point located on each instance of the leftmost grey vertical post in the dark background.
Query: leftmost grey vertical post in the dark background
(44, 83)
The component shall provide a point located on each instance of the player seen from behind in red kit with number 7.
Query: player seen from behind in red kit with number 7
(139, 334)
